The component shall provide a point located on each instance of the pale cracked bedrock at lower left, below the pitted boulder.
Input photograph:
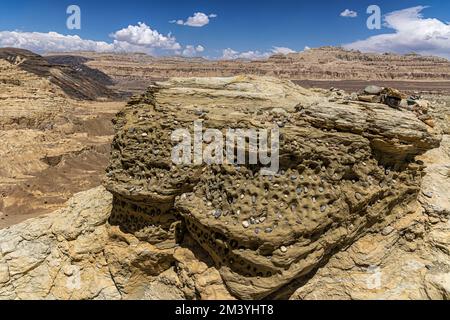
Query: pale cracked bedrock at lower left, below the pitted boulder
(75, 254)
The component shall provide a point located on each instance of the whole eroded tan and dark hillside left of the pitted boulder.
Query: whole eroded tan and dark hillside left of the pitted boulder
(52, 144)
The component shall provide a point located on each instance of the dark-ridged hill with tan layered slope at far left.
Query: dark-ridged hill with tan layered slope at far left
(35, 93)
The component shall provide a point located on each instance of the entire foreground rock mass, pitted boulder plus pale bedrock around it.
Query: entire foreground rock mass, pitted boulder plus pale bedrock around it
(342, 208)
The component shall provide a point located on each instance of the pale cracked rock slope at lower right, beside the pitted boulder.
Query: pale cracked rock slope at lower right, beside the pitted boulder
(409, 259)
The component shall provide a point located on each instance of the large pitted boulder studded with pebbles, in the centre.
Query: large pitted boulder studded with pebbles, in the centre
(346, 169)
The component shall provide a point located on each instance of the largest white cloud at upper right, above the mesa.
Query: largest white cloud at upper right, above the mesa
(413, 33)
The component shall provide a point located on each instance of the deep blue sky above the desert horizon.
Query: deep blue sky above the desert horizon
(241, 26)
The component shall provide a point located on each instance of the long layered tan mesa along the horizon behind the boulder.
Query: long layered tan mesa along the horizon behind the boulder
(319, 67)
